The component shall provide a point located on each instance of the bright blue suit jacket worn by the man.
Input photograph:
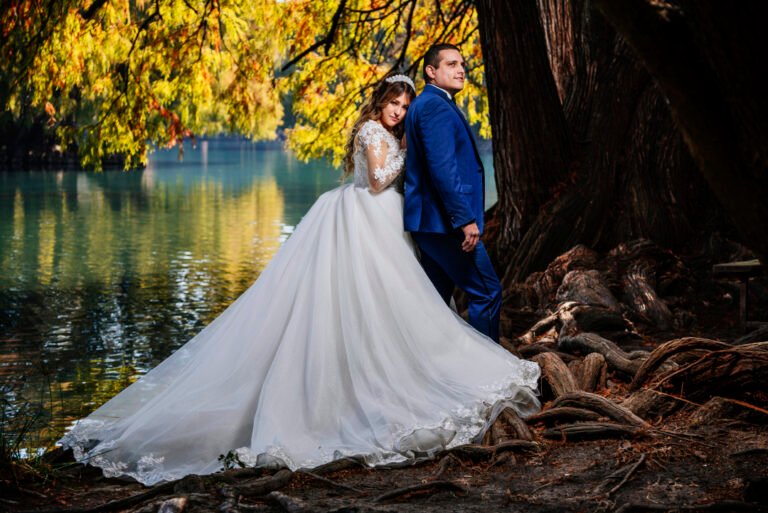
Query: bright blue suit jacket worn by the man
(444, 179)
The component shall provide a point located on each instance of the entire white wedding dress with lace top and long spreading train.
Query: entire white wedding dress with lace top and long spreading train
(342, 347)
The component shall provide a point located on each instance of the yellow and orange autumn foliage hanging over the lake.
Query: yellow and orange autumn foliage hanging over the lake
(111, 77)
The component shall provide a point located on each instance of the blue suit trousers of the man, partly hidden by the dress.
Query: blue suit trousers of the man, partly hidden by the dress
(447, 265)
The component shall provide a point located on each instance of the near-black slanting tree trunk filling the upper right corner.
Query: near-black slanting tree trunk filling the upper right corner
(706, 58)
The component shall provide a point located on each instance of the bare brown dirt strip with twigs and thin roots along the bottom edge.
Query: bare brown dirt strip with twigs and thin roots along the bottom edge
(720, 467)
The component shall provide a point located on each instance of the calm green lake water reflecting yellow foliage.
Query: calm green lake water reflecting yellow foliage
(103, 275)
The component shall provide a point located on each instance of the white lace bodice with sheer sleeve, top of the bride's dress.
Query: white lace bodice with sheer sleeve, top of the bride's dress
(377, 156)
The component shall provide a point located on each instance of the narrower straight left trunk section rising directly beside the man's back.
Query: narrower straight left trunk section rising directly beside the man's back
(516, 70)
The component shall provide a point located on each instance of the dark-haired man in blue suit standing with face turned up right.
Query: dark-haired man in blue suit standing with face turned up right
(445, 193)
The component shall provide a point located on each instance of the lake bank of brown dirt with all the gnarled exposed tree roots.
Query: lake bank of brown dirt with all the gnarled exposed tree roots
(653, 400)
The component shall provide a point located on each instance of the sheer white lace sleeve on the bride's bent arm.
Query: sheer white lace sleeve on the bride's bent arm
(385, 159)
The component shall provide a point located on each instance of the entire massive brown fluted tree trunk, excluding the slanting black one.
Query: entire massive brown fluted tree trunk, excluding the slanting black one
(585, 150)
